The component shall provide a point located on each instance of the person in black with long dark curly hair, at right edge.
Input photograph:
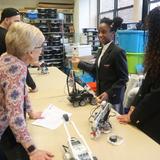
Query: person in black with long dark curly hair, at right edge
(145, 110)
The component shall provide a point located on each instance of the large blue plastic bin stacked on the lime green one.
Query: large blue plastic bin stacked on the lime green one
(132, 40)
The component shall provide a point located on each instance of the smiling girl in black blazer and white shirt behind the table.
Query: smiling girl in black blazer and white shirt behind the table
(110, 67)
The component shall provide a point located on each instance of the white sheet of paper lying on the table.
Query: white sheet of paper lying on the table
(53, 117)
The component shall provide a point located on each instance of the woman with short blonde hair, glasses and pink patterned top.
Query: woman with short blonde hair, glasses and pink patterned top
(24, 45)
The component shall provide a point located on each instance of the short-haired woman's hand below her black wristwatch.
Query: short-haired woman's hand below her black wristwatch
(41, 155)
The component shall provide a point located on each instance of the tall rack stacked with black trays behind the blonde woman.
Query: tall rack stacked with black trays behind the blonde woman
(53, 30)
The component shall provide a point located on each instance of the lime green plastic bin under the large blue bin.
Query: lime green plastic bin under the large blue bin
(134, 60)
